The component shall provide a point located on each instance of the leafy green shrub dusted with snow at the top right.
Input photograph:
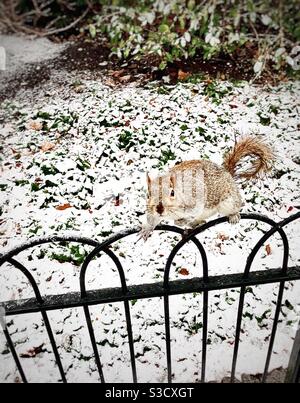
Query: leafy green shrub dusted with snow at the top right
(176, 29)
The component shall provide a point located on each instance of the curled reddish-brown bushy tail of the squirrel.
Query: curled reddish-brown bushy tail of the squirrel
(260, 153)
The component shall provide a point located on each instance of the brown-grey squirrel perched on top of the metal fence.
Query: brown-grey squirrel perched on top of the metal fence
(193, 191)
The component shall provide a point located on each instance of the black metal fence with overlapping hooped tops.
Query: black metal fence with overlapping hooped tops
(165, 289)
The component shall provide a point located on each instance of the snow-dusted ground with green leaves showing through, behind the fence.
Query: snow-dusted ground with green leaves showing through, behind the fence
(68, 151)
